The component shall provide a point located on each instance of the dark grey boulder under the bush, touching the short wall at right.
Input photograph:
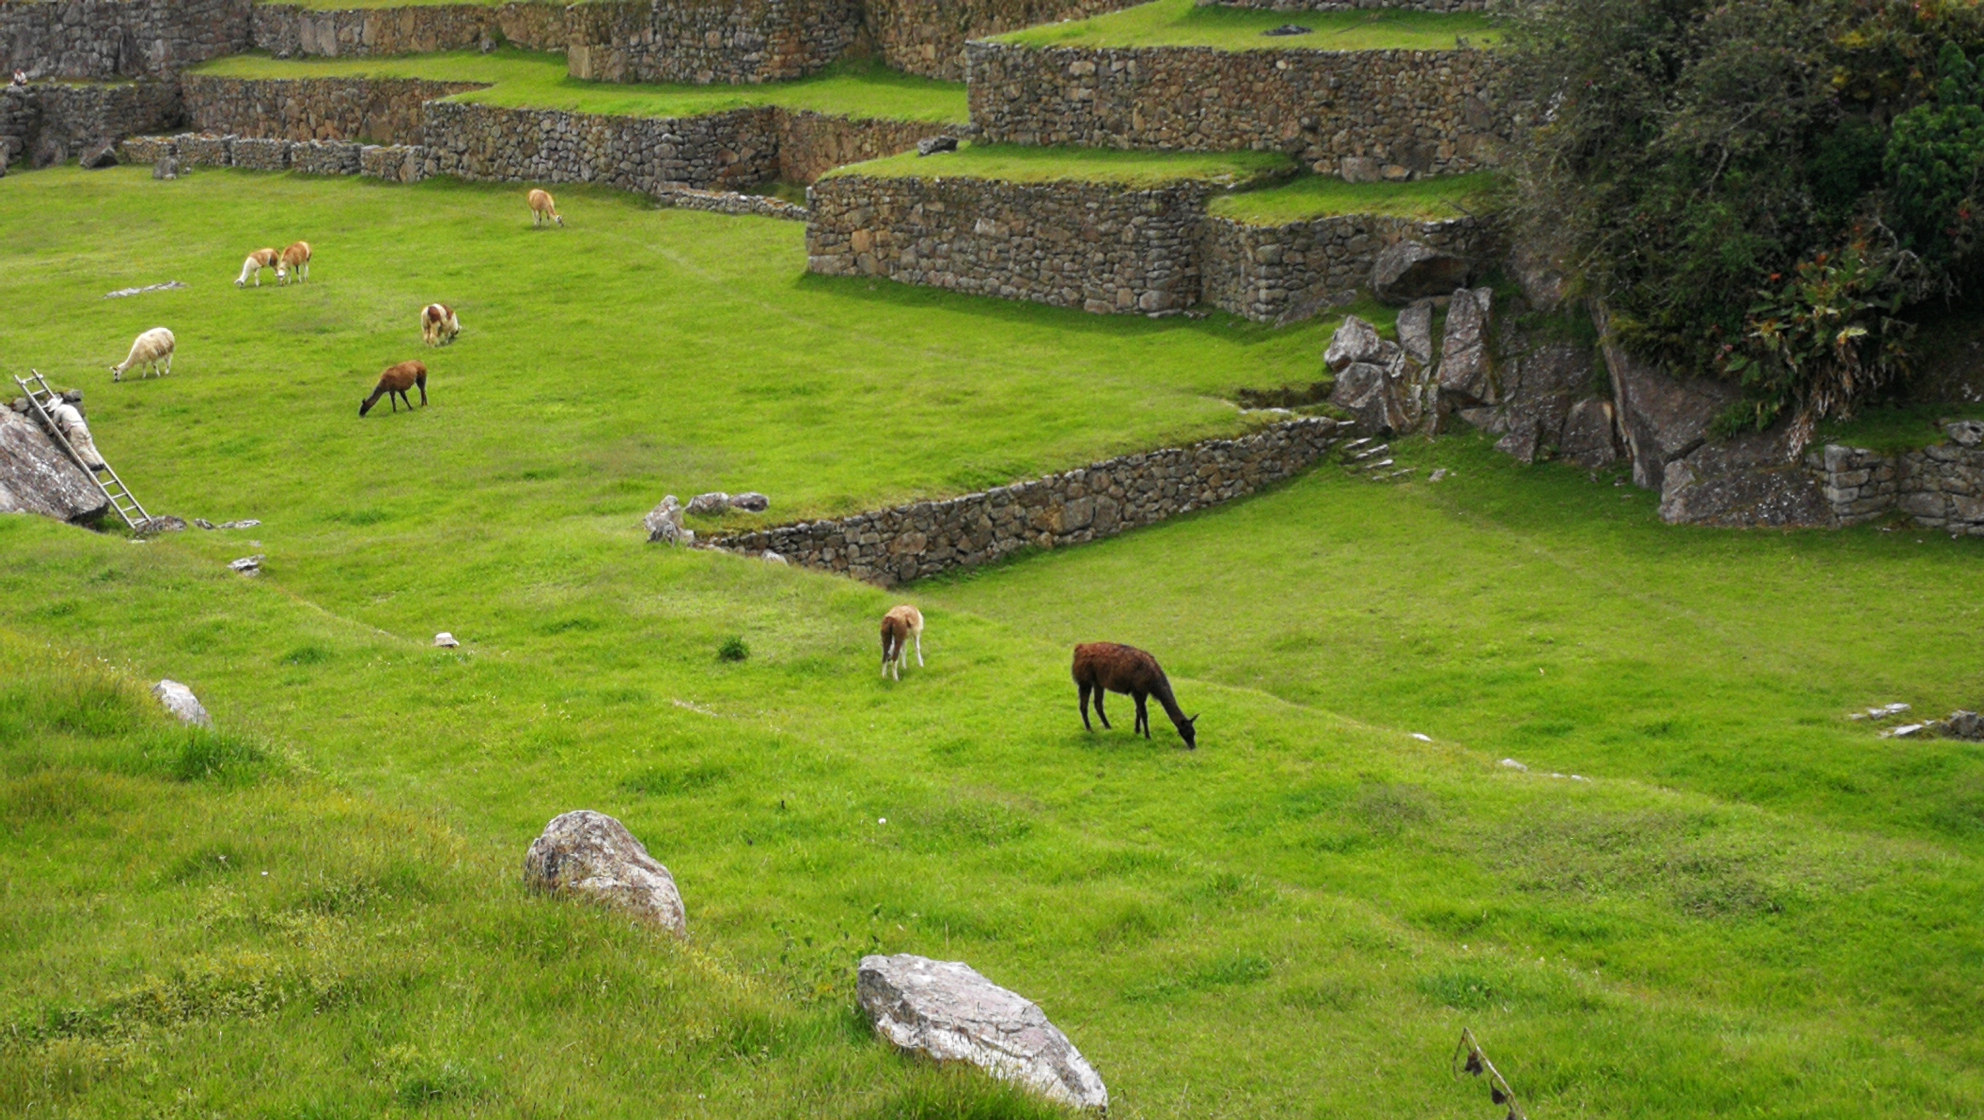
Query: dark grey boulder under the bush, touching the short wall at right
(1745, 483)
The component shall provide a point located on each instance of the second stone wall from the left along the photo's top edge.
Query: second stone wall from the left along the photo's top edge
(289, 31)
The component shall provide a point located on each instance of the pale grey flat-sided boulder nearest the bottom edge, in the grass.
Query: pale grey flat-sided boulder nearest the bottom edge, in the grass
(951, 1014)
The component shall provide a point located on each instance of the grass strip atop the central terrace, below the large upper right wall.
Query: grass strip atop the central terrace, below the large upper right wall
(1017, 164)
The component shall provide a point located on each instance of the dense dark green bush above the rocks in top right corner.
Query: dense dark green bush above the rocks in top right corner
(1757, 187)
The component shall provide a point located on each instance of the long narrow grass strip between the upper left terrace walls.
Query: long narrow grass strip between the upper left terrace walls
(531, 80)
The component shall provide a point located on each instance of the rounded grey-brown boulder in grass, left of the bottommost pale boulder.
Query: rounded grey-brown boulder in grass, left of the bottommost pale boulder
(594, 855)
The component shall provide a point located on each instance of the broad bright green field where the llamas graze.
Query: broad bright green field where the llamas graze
(1755, 907)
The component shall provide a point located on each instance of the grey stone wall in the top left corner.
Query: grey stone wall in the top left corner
(118, 39)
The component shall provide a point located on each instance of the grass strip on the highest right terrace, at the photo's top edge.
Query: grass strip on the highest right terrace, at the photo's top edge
(1191, 25)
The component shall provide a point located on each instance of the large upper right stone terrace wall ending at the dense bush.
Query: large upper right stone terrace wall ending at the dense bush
(1408, 114)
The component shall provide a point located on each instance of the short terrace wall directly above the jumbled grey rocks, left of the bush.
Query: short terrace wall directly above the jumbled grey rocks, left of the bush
(1265, 271)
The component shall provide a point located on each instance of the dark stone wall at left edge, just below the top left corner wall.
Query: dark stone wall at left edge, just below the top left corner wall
(53, 122)
